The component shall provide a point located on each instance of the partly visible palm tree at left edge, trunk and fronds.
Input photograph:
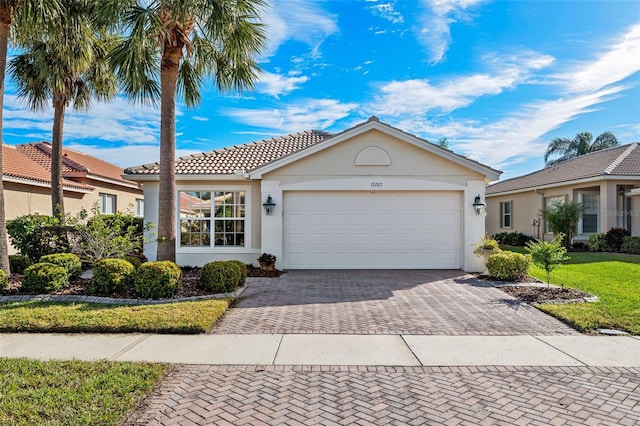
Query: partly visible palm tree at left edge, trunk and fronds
(30, 13)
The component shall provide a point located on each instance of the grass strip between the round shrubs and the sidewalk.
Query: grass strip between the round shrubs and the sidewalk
(69, 317)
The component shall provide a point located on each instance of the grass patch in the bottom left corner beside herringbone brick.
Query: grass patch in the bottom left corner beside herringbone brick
(73, 392)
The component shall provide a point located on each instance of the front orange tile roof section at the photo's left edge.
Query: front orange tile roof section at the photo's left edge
(17, 165)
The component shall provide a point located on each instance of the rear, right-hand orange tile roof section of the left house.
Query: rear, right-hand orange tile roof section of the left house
(75, 163)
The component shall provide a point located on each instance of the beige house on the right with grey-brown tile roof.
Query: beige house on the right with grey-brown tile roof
(606, 183)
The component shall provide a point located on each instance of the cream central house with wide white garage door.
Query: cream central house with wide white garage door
(371, 196)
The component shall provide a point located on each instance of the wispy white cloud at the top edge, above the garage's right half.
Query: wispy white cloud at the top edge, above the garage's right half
(438, 15)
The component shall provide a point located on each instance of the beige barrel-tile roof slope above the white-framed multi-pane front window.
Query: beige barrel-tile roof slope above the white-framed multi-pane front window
(245, 157)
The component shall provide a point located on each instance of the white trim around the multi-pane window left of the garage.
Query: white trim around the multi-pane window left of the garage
(248, 215)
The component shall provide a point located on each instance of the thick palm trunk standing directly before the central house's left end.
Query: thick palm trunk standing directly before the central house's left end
(167, 192)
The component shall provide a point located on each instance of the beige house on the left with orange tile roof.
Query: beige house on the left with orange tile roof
(86, 180)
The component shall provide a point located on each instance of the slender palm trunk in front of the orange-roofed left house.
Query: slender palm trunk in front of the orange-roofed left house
(57, 192)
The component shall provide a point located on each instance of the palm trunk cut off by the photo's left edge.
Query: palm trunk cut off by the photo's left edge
(5, 23)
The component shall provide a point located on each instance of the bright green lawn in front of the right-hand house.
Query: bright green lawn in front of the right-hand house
(614, 278)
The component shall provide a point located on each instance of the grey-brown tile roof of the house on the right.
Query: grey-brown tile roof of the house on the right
(618, 161)
